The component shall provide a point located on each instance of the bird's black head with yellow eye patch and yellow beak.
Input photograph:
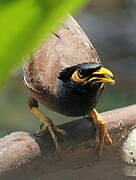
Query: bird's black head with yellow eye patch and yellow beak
(87, 74)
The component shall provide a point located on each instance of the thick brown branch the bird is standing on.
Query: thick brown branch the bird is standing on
(22, 152)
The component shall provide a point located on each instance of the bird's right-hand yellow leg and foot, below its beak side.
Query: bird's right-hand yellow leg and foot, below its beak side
(103, 132)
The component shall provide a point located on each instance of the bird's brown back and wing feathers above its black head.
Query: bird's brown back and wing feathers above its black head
(67, 47)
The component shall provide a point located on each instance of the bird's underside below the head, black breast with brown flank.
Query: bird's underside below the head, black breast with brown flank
(68, 102)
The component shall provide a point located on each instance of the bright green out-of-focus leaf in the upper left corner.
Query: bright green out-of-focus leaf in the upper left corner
(23, 24)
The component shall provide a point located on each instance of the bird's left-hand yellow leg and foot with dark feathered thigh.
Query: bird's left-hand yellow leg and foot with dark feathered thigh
(33, 104)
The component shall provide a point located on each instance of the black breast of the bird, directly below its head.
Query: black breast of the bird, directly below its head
(76, 103)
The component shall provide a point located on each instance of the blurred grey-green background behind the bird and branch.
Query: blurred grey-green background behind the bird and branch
(110, 25)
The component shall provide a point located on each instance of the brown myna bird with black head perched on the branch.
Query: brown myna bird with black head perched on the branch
(65, 74)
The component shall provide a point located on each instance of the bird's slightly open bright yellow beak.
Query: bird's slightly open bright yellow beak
(107, 76)
